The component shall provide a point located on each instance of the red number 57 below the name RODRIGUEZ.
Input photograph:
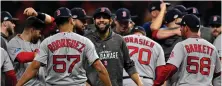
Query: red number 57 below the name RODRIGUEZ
(63, 63)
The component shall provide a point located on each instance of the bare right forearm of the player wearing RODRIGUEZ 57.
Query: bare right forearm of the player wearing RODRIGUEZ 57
(103, 74)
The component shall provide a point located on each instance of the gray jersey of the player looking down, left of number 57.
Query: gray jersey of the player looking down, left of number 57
(15, 46)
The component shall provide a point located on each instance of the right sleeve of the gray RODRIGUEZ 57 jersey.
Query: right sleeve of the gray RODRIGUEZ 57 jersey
(90, 52)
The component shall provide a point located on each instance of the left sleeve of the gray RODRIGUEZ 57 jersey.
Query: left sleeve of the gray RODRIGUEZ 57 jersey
(42, 55)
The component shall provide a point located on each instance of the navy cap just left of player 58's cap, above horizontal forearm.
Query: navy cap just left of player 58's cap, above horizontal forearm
(173, 14)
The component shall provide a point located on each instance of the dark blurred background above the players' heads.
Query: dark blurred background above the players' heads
(139, 8)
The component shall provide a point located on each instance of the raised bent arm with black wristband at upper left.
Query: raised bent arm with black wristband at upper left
(44, 17)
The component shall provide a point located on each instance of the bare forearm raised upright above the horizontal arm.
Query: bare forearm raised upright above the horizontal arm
(156, 24)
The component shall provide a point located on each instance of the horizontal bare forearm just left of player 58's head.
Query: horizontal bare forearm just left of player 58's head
(163, 34)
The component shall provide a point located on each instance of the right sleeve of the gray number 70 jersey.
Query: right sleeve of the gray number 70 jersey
(161, 58)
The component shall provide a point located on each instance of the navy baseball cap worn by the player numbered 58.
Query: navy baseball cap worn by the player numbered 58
(190, 20)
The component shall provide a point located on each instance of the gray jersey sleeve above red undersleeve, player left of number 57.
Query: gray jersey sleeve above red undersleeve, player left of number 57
(14, 48)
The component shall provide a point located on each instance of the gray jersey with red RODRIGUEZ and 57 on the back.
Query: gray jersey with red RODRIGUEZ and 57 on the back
(64, 54)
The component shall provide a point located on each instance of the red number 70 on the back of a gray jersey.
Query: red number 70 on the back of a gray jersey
(141, 51)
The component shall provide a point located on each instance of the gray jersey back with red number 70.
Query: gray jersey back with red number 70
(146, 53)
